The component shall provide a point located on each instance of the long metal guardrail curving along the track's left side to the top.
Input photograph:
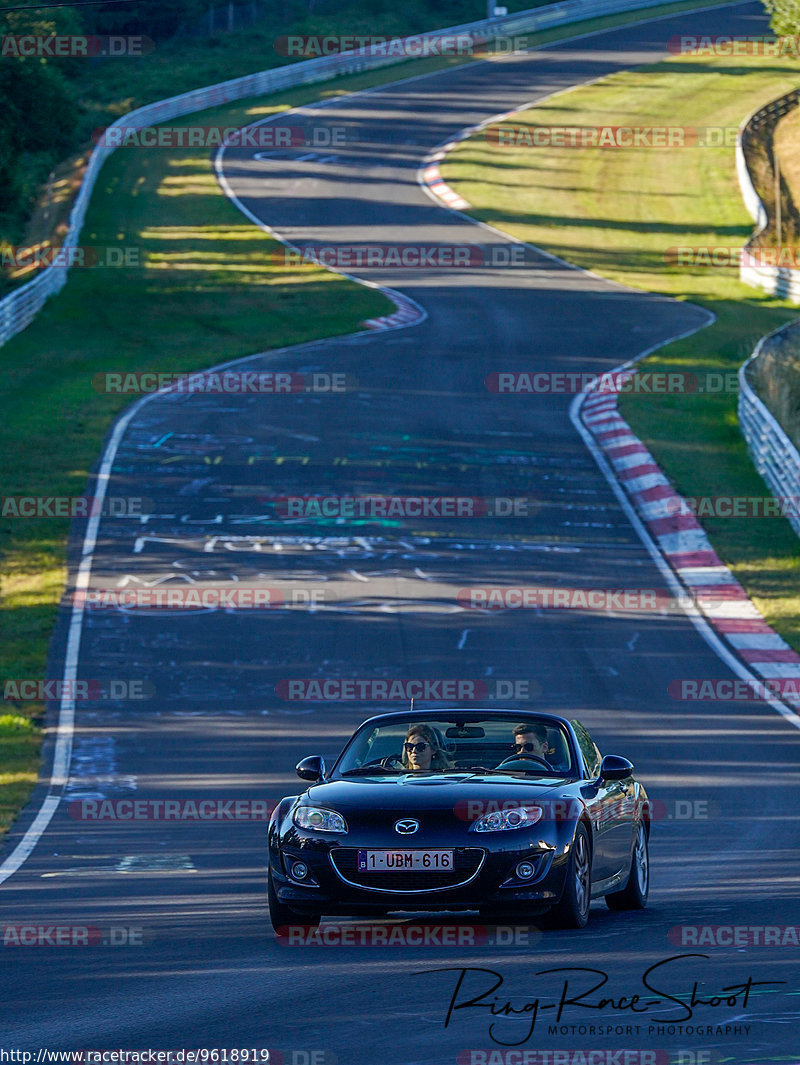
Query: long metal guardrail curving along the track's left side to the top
(21, 307)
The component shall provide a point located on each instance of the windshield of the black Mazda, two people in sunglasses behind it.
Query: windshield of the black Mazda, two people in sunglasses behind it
(443, 745)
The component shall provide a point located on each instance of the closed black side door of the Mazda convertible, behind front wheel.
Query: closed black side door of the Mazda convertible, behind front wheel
(610, 805)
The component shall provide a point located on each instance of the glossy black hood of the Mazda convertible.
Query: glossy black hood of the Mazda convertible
(410, 792)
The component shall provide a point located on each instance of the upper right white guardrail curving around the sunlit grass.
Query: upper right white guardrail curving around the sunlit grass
(778, 281)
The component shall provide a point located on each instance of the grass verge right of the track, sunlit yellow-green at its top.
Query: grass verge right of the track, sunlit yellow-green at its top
(618, 212)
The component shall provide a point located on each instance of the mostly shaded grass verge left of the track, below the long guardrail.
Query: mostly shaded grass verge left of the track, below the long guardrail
(206, 293)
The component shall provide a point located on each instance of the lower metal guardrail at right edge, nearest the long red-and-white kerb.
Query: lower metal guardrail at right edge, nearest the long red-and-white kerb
(776, 457)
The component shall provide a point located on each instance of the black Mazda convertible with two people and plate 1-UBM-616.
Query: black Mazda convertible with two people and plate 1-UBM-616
(511, 813)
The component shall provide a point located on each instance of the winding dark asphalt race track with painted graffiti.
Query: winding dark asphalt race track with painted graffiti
(381, 601)
